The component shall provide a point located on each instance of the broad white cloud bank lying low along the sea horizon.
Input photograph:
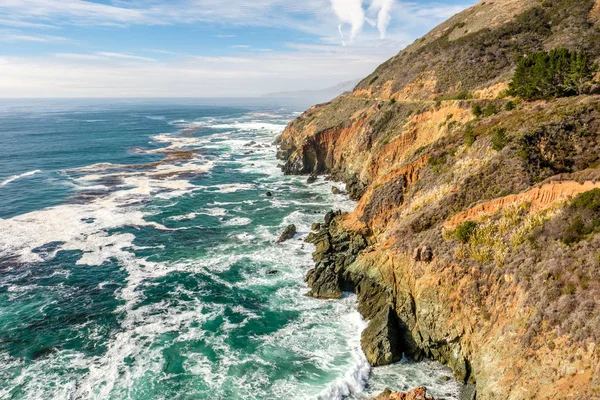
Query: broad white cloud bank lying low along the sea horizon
(95, 75)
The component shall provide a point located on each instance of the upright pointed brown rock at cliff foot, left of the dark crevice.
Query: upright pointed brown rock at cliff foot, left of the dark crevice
(381, 340)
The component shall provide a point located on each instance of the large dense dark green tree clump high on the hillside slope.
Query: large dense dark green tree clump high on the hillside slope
(558, 73)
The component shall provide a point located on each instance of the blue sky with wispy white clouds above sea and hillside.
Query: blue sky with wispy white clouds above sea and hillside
(202, 48)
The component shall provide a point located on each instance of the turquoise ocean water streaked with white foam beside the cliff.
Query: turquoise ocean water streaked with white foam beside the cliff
(135, 245)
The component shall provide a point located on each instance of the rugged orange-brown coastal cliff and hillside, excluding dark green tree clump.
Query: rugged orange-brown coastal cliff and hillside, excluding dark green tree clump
(476, 240)
